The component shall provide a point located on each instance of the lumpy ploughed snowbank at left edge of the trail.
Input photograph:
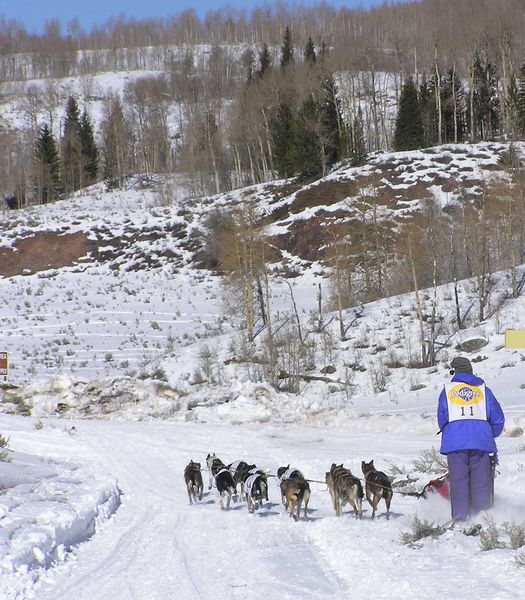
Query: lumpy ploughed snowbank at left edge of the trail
(48, 505)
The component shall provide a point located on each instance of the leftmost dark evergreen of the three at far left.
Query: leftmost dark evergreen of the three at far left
(47, 166)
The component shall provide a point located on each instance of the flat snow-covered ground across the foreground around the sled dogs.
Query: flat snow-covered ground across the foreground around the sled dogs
(157, 546)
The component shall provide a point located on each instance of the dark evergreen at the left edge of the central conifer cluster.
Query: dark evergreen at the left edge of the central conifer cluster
(284, 141)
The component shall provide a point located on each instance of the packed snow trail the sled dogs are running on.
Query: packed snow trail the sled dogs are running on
(158, 547)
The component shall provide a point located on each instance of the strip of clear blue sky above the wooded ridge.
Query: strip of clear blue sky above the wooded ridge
(34, 13)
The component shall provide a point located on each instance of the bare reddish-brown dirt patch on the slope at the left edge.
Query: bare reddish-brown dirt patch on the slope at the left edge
(42, 251)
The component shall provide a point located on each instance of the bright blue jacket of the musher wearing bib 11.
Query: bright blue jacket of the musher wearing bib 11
(470, 434)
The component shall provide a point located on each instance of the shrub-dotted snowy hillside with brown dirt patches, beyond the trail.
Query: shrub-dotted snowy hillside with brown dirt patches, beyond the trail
(112, 285)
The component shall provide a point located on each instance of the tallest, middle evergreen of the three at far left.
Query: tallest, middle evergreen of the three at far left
(71, 148)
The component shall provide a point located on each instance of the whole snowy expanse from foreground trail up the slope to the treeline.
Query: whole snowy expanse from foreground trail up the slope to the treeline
(110, 320)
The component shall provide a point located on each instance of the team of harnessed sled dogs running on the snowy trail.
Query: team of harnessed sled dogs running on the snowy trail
(240, 480)
